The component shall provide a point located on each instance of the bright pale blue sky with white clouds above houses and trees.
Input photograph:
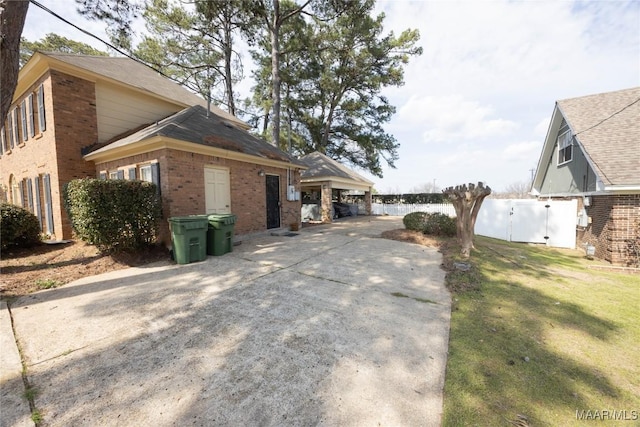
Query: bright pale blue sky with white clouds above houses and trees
(476, 105)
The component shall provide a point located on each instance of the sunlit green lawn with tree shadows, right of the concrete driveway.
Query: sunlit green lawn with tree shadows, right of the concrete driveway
(537, 336)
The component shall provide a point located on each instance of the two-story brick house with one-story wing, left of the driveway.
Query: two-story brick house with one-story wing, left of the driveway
(76, 116)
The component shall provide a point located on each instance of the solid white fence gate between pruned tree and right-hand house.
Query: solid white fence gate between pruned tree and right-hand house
(529, 221)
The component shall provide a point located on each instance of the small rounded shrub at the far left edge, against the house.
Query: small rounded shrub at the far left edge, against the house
(18, 227)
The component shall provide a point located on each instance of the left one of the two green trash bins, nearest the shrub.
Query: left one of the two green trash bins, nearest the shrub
(189, 237)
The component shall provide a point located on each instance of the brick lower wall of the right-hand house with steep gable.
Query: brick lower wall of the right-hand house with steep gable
(614, 220)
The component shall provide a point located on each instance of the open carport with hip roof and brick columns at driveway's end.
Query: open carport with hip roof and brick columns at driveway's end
(320, 179)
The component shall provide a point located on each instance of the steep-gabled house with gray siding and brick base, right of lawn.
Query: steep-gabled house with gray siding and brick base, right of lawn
(592, 153)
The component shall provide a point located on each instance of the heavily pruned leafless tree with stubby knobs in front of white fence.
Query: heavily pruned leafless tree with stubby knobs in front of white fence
(467, 201)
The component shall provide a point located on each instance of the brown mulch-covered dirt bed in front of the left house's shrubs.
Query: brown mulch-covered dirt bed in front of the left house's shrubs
(29, 270)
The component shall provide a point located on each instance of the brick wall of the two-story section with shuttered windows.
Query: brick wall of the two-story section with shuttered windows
(70, 124)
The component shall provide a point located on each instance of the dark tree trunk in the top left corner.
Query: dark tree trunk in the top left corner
(12, 20)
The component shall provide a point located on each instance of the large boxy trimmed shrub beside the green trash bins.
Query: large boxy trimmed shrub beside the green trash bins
(114, 215)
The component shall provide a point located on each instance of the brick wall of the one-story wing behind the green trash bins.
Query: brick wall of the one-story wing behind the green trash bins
(182, 186)
